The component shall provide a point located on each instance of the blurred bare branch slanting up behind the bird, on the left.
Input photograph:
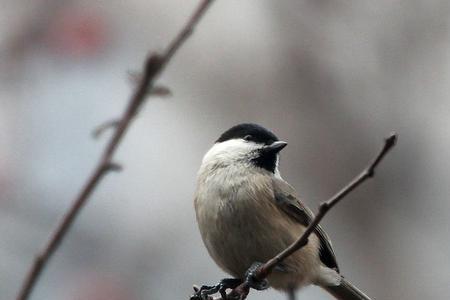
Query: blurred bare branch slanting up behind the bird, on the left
(154, 65)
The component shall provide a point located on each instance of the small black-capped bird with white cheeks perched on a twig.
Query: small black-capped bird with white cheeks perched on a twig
(247, 213)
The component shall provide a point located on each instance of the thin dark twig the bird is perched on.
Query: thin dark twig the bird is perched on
(242, 290)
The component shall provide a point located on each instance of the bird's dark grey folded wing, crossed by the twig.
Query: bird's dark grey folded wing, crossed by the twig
(287, 200)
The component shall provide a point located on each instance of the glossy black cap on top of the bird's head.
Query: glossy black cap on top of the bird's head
(253, 132)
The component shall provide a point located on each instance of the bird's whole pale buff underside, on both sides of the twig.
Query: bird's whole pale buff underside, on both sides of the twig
(241, 225)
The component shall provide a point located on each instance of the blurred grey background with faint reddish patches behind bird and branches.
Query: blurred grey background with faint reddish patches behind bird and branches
(331, 77)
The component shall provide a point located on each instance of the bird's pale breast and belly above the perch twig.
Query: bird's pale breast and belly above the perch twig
(239, 221)
